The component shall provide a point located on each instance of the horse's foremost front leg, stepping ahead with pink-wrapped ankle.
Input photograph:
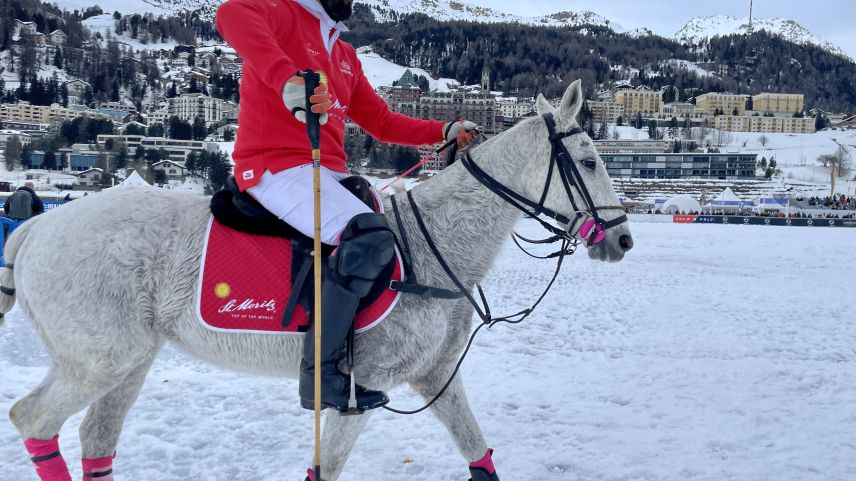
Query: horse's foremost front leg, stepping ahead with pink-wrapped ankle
(454, 412)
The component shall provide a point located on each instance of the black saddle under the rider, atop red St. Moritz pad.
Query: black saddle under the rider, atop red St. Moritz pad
(239, 211)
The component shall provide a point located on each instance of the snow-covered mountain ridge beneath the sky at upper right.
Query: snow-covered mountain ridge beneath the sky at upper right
(700, 28)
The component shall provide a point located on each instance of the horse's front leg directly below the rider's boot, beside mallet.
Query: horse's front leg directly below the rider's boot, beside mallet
(339, 436)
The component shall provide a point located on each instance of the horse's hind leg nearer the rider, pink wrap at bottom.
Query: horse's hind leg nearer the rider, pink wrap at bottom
(100, 429)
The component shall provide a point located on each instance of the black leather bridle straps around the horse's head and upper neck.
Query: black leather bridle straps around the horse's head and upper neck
(570, 176)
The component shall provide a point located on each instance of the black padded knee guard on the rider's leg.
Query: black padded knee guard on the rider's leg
(366, 249)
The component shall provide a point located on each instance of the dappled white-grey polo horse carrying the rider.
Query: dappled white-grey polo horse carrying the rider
(109, 279)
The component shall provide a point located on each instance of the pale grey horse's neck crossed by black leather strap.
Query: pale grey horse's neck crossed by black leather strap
(467, 221)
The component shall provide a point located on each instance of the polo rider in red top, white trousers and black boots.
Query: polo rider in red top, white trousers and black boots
(277, 39)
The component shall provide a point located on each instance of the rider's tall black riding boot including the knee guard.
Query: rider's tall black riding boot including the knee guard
(366, 248)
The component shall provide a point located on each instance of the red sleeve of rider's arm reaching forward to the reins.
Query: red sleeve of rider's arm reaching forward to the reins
(372, 113)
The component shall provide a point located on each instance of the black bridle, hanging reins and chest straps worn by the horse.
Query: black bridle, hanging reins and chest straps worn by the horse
(561, 160)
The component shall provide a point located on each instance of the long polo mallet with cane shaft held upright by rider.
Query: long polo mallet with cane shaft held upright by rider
(313, 130)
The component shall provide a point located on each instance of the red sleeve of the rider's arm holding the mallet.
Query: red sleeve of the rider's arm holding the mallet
(250, 27)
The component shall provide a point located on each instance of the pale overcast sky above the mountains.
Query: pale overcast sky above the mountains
(831, 20)
